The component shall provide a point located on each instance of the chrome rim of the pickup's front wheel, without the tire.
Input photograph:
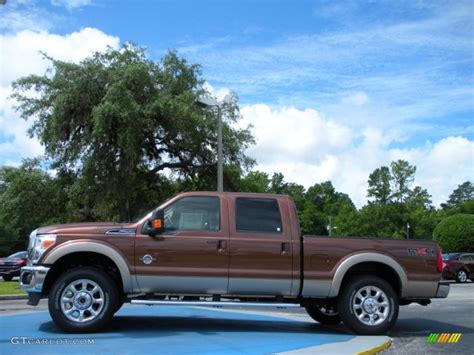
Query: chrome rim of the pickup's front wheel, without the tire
(82, 301)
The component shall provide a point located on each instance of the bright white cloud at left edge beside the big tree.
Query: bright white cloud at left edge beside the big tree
(21, 56)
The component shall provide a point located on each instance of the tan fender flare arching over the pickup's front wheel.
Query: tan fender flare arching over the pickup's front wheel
(93, 246)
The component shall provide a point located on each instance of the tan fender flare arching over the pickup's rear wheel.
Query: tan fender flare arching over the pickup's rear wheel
(353, 260)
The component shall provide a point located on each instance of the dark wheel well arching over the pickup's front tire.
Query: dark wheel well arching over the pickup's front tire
(78, 259)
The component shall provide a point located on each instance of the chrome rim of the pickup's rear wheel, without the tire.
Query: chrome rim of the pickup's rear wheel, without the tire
(371, 305)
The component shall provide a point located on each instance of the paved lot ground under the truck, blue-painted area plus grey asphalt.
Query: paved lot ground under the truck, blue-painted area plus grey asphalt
(253, 331)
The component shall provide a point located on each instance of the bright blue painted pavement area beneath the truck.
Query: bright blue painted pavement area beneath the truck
(171, 330)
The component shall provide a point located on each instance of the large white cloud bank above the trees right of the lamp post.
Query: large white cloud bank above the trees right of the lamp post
(309, 149)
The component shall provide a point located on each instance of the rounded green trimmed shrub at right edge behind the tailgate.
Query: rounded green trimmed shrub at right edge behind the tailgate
(456, 233)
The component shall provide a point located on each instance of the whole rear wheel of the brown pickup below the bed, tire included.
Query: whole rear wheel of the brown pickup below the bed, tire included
(370, 309)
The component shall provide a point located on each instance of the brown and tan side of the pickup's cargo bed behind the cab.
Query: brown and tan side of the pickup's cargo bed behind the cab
(414, 261)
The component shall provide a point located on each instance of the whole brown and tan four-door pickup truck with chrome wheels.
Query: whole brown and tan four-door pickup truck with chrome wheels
(226, 249)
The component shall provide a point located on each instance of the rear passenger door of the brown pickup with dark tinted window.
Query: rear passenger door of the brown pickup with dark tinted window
(261, 249)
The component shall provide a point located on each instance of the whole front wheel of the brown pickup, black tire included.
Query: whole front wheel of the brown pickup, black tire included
(104, 310)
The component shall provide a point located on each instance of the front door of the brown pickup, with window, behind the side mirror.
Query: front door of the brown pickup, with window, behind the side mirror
(192, 255)
